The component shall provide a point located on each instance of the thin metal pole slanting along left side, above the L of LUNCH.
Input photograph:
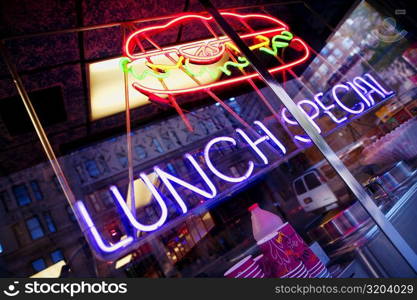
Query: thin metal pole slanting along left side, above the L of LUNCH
(38, 126)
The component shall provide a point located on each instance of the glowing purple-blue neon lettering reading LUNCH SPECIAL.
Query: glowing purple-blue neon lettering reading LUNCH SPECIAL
(364, 88)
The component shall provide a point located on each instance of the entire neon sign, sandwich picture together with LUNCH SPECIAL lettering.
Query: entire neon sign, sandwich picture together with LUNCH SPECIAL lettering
(366, 90)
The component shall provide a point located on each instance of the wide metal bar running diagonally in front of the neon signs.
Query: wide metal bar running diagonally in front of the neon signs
(369, 205)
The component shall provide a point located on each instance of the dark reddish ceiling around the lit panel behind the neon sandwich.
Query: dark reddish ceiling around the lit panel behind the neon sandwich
(52, 67)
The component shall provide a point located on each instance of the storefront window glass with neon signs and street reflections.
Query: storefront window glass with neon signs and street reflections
(168, 188)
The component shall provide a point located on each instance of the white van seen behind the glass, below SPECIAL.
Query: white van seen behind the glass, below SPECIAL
(313, 192)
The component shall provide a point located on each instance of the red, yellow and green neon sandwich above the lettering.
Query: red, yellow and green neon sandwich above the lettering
(195, 60)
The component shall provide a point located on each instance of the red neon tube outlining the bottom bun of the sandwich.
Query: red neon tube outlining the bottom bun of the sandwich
(140, 88)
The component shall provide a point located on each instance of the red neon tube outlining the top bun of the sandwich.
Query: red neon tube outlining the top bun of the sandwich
(127, 51)
